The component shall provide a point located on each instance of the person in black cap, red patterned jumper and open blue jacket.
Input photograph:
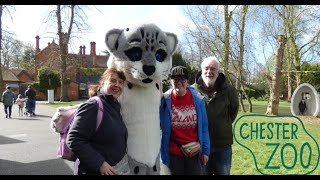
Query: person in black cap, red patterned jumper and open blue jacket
(183, 120)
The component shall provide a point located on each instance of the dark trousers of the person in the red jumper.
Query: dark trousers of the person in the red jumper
(184, 165)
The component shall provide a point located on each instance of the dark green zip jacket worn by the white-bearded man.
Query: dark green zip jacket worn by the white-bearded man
(222, 109)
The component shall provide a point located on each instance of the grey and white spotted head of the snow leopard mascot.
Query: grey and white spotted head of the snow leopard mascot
(143, 53)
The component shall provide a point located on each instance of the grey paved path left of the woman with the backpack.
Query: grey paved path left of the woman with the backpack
(28, 145)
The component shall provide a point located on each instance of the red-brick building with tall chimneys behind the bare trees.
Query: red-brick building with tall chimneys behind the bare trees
(49, 56)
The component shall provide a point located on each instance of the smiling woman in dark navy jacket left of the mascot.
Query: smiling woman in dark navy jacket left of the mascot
(101, 151)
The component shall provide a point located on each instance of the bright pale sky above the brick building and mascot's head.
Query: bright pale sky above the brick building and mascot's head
(28, 21)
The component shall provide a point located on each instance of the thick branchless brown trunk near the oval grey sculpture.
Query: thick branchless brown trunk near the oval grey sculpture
(273, 105)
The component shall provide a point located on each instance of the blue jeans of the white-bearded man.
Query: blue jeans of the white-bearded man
(219, 162)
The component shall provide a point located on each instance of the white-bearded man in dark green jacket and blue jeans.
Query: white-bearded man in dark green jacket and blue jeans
(222, 109)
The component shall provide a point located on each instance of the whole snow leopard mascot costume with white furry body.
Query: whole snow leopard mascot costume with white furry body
(144, 54)
